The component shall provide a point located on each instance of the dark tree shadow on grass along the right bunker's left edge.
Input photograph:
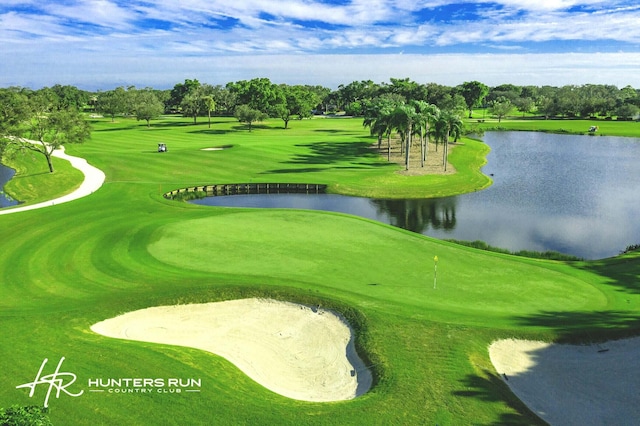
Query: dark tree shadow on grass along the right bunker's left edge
(490, 388)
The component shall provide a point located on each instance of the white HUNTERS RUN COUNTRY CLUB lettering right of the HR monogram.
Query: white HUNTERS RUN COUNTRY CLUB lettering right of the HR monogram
(144, 385)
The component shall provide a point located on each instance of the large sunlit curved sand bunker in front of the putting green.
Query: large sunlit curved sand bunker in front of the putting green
(291, 349)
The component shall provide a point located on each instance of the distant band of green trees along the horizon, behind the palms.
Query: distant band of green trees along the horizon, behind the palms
(194, 99)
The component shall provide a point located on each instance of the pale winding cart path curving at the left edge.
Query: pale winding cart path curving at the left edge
(93, 180)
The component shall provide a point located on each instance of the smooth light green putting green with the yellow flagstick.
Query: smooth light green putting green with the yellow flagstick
(376, 261)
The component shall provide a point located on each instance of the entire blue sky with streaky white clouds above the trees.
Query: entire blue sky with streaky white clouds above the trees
(102, 44)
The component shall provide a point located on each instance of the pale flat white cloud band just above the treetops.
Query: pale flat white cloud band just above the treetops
(94, 71)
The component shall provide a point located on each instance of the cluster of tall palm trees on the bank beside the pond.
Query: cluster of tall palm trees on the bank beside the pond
(420, 119)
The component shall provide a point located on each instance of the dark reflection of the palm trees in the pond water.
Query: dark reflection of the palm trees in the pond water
(418, 215)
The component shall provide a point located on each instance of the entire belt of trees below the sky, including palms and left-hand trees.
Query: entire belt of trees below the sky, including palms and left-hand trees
(52, 116)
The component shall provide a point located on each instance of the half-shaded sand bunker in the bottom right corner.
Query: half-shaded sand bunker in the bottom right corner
(574, 385)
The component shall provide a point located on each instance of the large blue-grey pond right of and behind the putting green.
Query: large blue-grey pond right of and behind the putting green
(573, 194)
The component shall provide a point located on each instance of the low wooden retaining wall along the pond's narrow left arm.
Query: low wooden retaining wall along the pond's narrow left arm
(252, 188)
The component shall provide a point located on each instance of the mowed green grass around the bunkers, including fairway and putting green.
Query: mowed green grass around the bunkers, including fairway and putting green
(125, 247)
